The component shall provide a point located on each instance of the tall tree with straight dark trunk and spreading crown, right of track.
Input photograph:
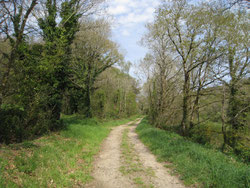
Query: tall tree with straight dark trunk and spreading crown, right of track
(192, 39)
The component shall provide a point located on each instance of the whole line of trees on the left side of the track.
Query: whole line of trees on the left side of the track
(53, 57)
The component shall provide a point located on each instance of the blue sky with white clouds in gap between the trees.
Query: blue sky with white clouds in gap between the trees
(129, 19)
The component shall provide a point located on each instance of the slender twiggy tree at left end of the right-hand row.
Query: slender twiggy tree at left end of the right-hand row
(166, 74)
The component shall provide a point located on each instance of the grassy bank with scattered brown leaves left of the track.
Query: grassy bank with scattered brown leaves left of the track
(62, 159)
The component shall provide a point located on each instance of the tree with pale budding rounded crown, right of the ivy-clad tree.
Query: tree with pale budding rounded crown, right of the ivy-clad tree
(93, 53)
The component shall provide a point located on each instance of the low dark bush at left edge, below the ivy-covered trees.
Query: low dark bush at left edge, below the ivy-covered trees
(18, 123)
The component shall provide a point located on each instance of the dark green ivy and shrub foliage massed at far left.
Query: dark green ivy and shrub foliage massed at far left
(36, 74)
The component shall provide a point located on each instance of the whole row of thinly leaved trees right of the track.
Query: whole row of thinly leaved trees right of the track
(197, 72)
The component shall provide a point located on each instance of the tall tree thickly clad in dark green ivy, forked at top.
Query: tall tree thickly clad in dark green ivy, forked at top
(56, 56)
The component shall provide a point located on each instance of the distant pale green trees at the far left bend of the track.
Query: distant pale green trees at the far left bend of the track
(115, 95)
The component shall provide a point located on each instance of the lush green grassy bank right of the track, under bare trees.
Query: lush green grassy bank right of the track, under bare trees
(195, 164)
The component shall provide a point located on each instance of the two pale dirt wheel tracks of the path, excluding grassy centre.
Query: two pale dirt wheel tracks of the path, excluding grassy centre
(107, 173)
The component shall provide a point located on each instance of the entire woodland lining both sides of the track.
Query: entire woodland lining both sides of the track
(57, 57)
